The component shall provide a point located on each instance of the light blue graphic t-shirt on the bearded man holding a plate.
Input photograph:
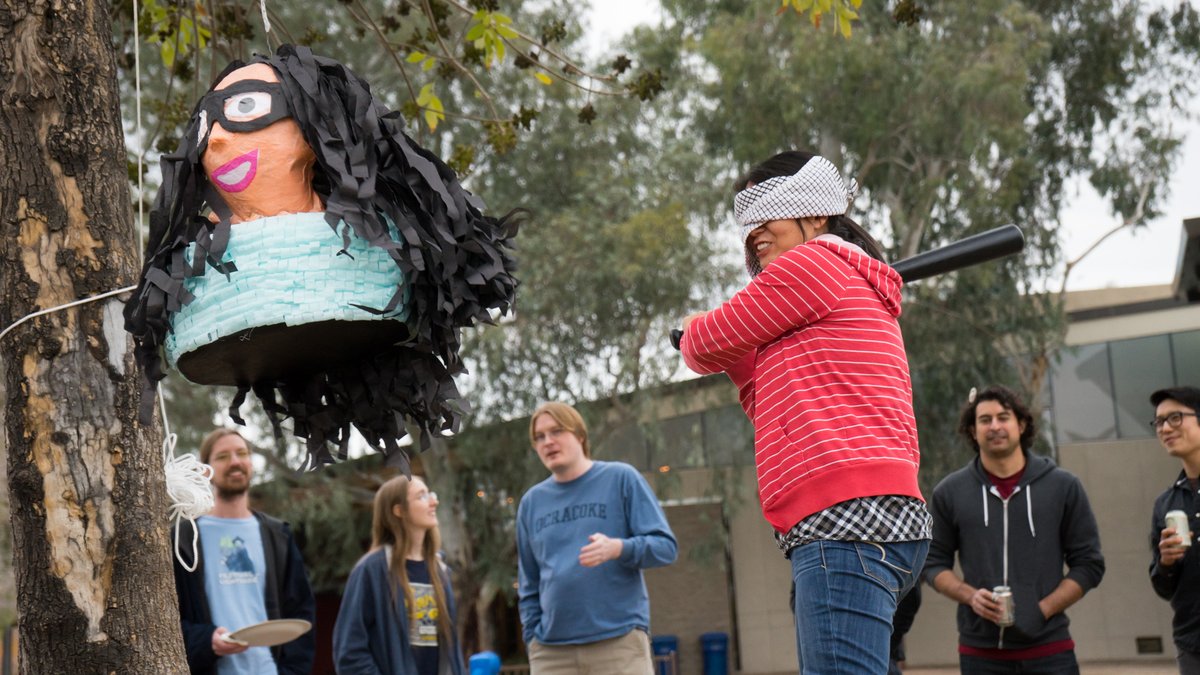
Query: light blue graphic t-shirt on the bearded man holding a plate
(235, 581)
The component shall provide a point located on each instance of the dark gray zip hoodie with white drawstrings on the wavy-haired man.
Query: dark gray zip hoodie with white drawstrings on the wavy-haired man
(1048, 522)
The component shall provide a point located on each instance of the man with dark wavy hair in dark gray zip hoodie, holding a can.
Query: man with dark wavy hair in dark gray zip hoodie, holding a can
(1015, 519)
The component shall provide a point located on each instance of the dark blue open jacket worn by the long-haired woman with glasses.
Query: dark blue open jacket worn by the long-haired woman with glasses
(371, 635)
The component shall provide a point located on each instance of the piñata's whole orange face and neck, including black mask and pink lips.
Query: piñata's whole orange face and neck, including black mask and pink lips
(253, 151)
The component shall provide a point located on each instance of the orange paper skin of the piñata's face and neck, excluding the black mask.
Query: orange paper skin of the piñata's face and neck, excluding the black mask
(266, 172)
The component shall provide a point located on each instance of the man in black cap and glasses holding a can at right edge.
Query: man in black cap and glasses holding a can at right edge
(1174, 570)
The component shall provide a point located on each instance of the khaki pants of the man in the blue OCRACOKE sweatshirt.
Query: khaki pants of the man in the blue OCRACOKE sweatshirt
(627, 655)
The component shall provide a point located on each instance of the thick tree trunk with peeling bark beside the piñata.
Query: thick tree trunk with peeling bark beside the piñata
(92, 552)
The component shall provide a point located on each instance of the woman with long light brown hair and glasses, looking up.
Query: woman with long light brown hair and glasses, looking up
(398, 613)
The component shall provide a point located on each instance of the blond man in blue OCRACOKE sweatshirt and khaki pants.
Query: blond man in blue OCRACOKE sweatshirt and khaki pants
(584, 537)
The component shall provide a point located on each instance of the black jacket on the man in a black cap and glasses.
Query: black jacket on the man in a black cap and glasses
(1179, 583)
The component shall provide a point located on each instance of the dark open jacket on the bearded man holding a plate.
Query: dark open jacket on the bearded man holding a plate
(287, 596)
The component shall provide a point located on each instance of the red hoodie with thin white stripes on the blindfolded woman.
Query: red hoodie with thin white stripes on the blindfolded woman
(815, 350)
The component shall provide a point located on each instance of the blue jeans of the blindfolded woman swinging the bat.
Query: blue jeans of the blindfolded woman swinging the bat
(845, 596)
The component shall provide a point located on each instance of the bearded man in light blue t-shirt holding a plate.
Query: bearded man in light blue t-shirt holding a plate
(247, 570)
